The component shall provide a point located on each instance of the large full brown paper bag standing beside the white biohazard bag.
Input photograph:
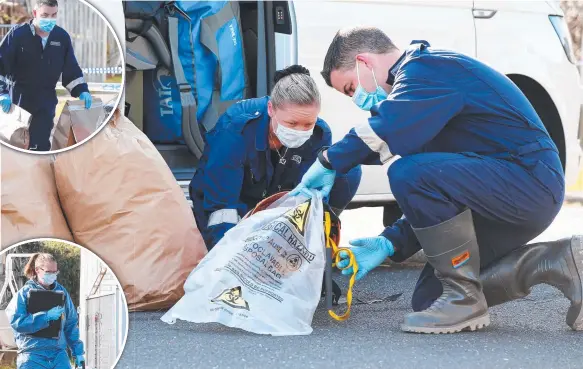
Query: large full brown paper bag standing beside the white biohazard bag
(123, 203)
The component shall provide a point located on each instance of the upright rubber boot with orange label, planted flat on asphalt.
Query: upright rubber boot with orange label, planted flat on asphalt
(452, 249)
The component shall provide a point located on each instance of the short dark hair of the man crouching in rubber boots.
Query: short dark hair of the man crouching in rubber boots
(348, 43)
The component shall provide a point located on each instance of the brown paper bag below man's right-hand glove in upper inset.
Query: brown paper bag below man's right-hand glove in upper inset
(77, 123)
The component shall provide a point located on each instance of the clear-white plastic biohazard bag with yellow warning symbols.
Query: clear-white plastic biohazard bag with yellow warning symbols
(265, 275)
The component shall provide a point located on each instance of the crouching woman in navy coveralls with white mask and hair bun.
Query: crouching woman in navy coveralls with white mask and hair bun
(260, 147)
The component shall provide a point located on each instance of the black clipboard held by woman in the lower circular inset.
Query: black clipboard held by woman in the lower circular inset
(42, 300)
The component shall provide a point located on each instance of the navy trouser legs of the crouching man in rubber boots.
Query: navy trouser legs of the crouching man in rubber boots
(512, 202)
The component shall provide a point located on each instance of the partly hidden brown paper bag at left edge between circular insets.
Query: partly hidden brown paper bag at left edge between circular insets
(30, 205)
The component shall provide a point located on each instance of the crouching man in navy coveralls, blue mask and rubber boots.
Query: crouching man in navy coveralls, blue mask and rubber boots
(478, 178)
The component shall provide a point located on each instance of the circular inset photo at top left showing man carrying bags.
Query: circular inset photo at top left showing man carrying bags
(61, 74)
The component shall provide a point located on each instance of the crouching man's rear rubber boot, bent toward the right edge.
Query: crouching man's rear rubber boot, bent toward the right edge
(558, 263)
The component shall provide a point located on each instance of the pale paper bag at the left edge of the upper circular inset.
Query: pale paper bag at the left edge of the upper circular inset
(14, 127)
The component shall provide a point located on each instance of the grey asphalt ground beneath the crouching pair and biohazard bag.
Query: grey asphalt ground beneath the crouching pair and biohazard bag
(527, 333)
